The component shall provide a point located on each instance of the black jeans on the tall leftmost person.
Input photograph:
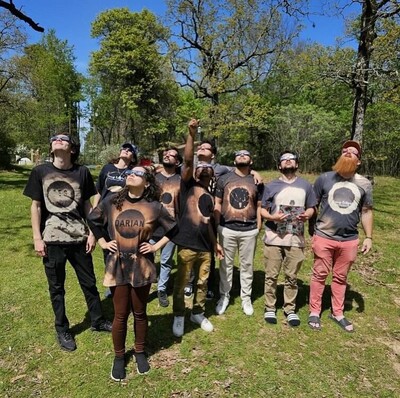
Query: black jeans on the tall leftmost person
(54, 265)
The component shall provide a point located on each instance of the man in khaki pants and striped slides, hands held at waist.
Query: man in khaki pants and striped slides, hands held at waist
(287, 203)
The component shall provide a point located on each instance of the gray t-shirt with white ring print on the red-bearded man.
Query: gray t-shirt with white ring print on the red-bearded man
(340, 203)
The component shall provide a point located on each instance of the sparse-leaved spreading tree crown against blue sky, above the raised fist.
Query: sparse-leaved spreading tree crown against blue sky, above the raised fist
(218, 47)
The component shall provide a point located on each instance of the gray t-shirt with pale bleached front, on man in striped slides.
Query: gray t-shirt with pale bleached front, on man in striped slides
(293, 199)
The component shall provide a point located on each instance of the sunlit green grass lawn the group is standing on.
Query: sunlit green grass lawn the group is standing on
(243, 357)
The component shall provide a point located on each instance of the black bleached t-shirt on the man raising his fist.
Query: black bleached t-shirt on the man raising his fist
(195, 215)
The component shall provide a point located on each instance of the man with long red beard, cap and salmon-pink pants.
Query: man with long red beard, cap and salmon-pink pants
(345, 199)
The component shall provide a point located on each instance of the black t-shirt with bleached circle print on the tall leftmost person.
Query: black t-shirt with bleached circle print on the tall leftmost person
(62, 194)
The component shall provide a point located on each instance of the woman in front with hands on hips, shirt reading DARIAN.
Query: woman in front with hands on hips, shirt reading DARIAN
(131, 216)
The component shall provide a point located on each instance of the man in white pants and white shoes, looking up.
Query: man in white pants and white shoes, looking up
(238, 220)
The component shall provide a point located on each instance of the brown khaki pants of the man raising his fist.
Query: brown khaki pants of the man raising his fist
(200, 263)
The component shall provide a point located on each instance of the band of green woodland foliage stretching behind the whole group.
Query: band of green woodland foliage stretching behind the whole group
(240, 73)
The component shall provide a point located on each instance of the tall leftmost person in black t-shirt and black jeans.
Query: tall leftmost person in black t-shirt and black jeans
(60, 193)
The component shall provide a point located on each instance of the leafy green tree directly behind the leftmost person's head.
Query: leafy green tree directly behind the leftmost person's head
(47, 91)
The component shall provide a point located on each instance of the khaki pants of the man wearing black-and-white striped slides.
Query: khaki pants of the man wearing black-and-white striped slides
(290, 258)
